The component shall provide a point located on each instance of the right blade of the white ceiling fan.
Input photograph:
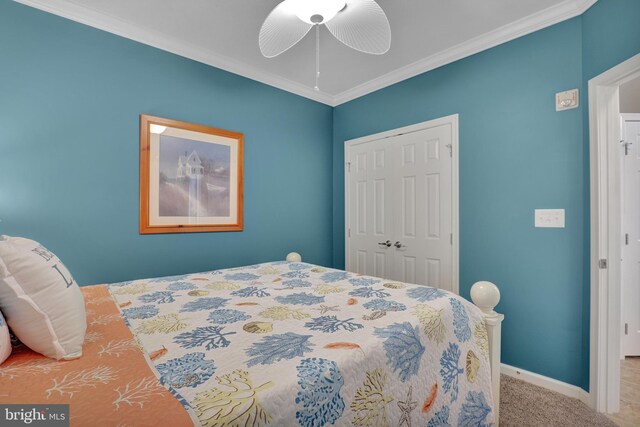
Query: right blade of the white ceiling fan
(362, 26)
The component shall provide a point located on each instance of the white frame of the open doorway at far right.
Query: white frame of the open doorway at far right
(604, 131)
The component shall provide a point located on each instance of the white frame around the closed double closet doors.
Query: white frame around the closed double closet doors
(455, 225)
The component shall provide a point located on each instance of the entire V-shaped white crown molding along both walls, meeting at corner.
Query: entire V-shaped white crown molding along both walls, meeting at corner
(537, 21)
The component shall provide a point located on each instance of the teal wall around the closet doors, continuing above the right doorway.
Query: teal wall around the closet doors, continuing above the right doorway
(516, 154)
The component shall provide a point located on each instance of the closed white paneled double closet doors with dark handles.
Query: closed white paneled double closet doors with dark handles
(399, 189)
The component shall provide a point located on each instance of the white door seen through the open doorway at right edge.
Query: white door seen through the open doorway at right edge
(631, 237)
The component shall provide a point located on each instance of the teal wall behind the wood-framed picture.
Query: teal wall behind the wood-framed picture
(70, 100)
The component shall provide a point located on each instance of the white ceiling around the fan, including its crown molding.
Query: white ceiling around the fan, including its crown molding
(426, 34)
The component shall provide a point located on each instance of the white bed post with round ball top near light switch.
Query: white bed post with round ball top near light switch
(486, 295)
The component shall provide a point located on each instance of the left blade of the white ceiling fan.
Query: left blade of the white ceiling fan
(281, 30)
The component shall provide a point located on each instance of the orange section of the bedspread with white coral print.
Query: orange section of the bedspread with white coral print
(112, 384)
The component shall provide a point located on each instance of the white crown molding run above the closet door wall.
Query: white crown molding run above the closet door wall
(529, 24)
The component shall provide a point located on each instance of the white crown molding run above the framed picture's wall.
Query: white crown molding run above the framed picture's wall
(152, 38)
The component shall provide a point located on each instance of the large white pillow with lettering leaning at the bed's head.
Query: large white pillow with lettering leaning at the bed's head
(42, 303)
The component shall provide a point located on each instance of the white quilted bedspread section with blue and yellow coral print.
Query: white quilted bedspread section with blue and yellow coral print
(296, 344)
